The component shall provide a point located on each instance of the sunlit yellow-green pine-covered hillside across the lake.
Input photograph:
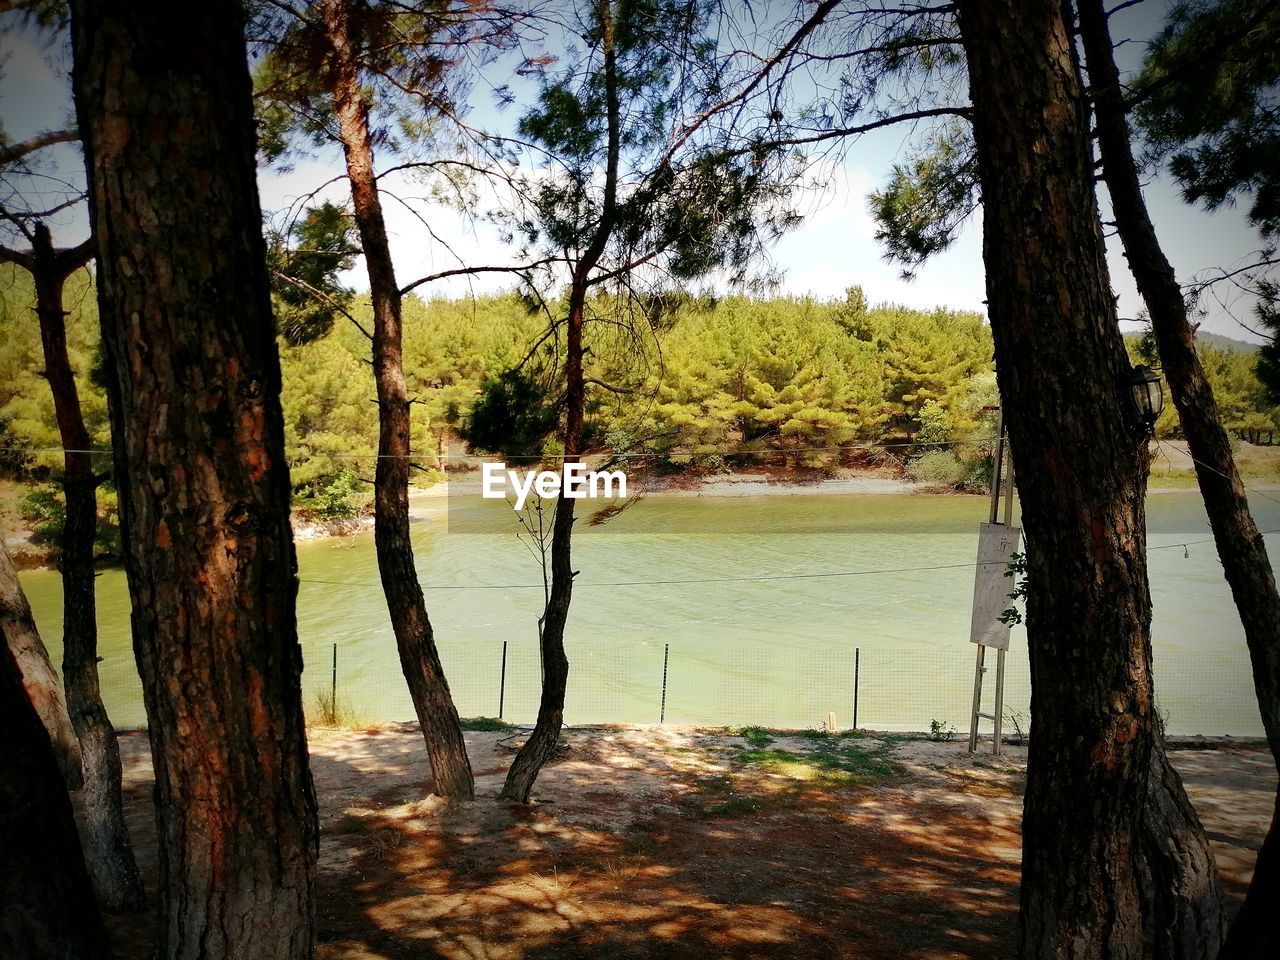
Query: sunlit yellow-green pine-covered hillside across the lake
(711, 385)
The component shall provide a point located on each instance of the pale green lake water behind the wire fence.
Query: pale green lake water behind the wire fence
(678, 584)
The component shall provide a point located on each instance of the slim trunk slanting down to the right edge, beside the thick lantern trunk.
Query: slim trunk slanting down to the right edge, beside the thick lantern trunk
(1240, 546)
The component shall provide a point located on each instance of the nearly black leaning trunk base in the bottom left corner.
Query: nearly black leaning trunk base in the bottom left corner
(47, 903)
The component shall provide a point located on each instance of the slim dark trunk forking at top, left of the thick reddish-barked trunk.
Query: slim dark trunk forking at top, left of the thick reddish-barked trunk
(108, 849)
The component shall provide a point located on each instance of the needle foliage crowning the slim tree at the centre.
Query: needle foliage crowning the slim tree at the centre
(682, 196)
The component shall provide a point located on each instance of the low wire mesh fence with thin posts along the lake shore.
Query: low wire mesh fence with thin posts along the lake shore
(1197, 693)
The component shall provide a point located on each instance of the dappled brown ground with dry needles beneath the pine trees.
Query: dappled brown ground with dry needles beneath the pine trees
(679, 843)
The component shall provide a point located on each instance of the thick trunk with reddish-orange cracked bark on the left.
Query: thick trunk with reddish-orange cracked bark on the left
(194, 386)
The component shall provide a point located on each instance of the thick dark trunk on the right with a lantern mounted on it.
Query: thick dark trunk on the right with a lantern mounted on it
(1082, 467)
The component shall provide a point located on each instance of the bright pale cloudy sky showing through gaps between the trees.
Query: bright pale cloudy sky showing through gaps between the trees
(834, 248)
